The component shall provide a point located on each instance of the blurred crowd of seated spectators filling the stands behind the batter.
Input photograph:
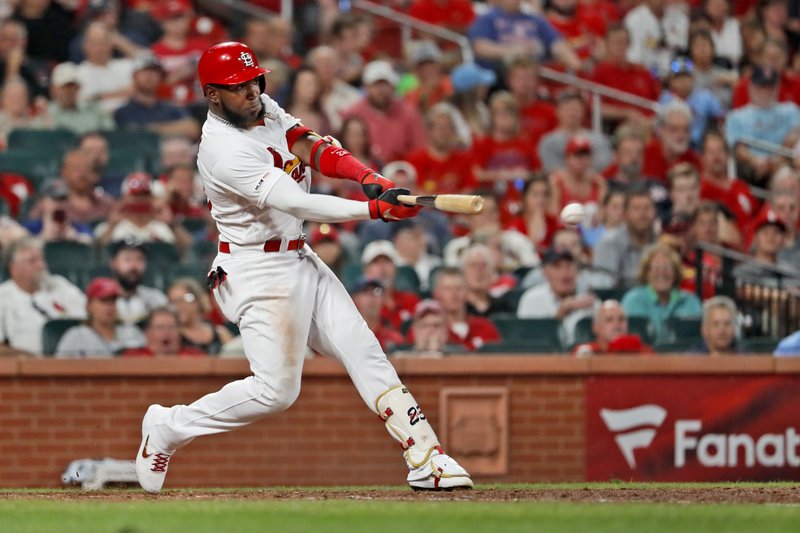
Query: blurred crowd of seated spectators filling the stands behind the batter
(107, 240)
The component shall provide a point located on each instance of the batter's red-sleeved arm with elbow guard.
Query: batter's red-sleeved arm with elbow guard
(325, 155)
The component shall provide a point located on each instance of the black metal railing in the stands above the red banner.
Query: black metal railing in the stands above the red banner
(766, 310)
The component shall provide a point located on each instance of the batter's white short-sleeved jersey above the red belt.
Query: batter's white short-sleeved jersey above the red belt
(239, 168)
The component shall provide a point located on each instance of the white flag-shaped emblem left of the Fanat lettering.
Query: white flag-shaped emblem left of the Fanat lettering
(619, 421)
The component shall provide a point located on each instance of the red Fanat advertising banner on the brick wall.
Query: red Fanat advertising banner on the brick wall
(693, 428)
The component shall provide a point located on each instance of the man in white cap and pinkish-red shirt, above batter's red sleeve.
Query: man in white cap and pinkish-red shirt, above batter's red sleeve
(383, 112)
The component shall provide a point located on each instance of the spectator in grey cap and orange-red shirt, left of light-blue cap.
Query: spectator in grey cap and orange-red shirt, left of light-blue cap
(432, 84)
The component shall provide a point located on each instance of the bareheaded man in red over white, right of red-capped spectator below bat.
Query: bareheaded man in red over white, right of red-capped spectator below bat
(469, 331)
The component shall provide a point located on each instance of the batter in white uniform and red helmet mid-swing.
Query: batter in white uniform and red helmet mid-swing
(254, 160)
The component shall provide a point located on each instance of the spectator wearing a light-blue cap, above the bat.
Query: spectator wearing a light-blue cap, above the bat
(471, 85)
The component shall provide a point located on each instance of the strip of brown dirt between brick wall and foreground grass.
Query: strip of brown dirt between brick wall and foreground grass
(588, 494)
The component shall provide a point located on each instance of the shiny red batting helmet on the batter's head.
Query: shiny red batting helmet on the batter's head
(229, 63)
